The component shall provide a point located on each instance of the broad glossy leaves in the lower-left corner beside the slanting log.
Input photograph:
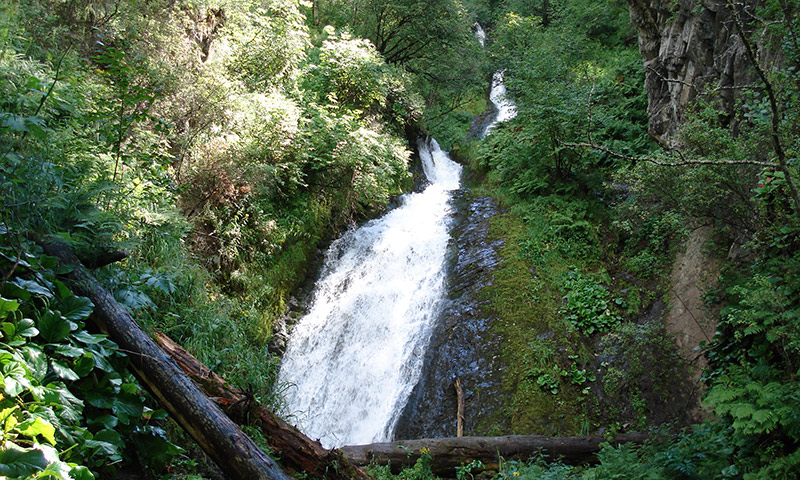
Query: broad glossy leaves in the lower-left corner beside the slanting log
(64, 387)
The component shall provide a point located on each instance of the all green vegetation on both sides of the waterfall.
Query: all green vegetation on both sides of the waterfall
(222, 143)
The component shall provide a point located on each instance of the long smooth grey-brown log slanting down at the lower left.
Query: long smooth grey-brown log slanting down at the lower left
(233, 451)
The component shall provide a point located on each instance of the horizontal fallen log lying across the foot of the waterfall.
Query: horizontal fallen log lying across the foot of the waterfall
(449, 453)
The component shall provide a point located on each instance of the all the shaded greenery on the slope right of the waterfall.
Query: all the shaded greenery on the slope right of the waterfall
(591, 234)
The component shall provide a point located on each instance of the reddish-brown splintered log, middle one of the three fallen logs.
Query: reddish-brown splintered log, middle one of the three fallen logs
(298, 452)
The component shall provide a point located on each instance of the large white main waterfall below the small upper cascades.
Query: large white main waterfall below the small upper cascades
(353, 359)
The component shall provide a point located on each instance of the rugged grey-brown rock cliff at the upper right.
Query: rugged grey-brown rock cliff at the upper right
(688, 47)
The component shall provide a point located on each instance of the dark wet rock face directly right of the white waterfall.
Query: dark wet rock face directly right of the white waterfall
(462, 344)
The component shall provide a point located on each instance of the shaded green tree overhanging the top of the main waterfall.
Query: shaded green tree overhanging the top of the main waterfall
(432, 39)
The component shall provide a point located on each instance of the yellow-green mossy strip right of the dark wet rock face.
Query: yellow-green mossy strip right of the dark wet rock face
(536, 343)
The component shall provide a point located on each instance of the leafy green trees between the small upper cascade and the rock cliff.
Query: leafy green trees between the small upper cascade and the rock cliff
(570, 85)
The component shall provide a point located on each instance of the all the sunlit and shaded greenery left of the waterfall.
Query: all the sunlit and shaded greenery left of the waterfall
(220, 144)
